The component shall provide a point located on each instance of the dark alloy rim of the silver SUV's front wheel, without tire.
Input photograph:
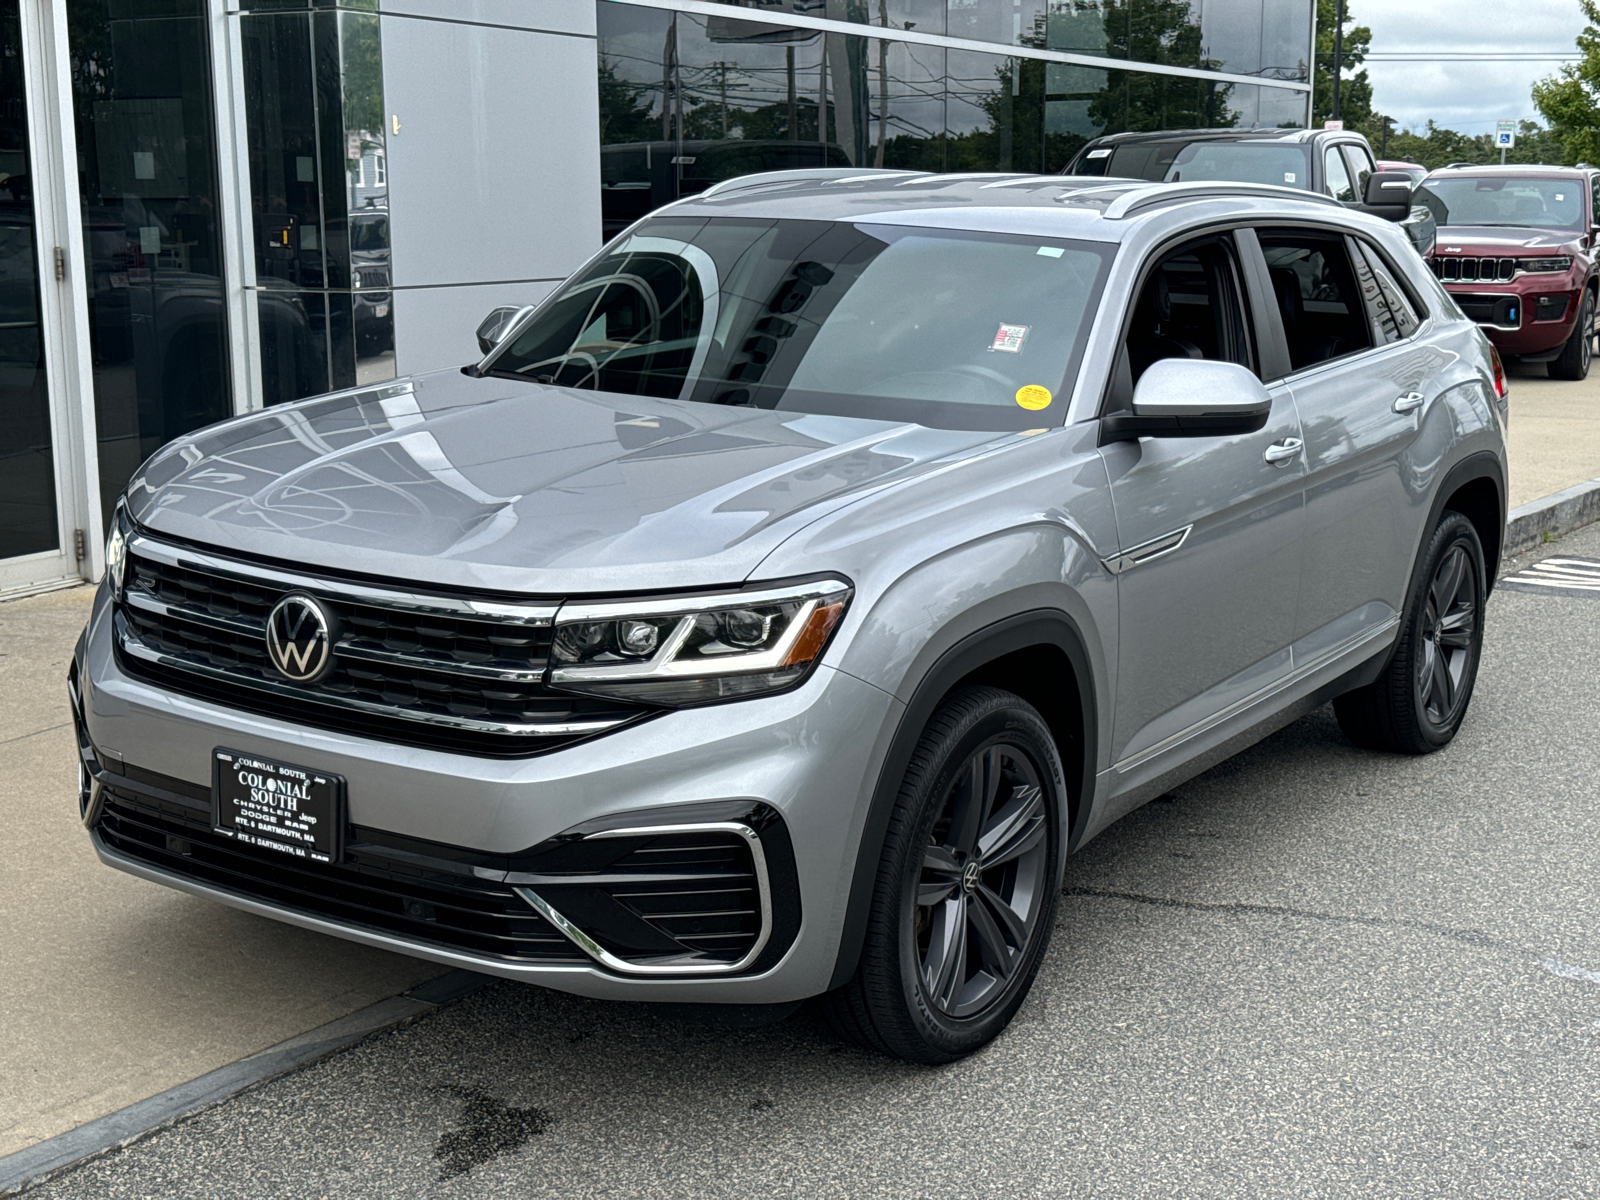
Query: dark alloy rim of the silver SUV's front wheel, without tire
(983, 873)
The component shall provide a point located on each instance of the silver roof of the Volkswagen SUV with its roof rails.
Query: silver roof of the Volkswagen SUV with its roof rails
(1033, 204)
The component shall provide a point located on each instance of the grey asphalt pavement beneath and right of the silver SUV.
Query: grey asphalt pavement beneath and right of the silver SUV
(1314, 972)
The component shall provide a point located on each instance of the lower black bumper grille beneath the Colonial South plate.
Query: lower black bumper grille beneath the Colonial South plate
(367, 890)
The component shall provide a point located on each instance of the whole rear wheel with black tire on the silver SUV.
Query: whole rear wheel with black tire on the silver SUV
(1422, 698)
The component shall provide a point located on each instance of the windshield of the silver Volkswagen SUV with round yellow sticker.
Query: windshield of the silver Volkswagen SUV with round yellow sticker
(953, 330)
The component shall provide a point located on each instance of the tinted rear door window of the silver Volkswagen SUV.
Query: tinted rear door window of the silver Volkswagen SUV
(1319, 300)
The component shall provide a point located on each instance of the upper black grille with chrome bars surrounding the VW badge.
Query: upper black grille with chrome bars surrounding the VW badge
(422, 671)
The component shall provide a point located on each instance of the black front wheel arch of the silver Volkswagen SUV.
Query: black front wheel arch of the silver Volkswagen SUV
(1025, 655)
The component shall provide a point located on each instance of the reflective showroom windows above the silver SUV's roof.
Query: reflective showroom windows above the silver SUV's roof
(690, 100)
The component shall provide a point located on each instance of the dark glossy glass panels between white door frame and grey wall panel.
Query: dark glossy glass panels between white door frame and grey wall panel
(319, 182)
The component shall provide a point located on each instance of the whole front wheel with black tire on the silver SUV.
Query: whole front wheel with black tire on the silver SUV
(956, 934)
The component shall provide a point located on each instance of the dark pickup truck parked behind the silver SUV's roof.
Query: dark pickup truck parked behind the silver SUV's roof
(1334, 162)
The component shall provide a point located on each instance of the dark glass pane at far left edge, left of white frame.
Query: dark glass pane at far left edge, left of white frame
(28, 478)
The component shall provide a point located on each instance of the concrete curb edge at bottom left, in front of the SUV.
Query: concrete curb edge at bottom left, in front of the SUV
(26, 1169)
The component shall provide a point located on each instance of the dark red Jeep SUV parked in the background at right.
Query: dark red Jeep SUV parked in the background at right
(1518, 254)
